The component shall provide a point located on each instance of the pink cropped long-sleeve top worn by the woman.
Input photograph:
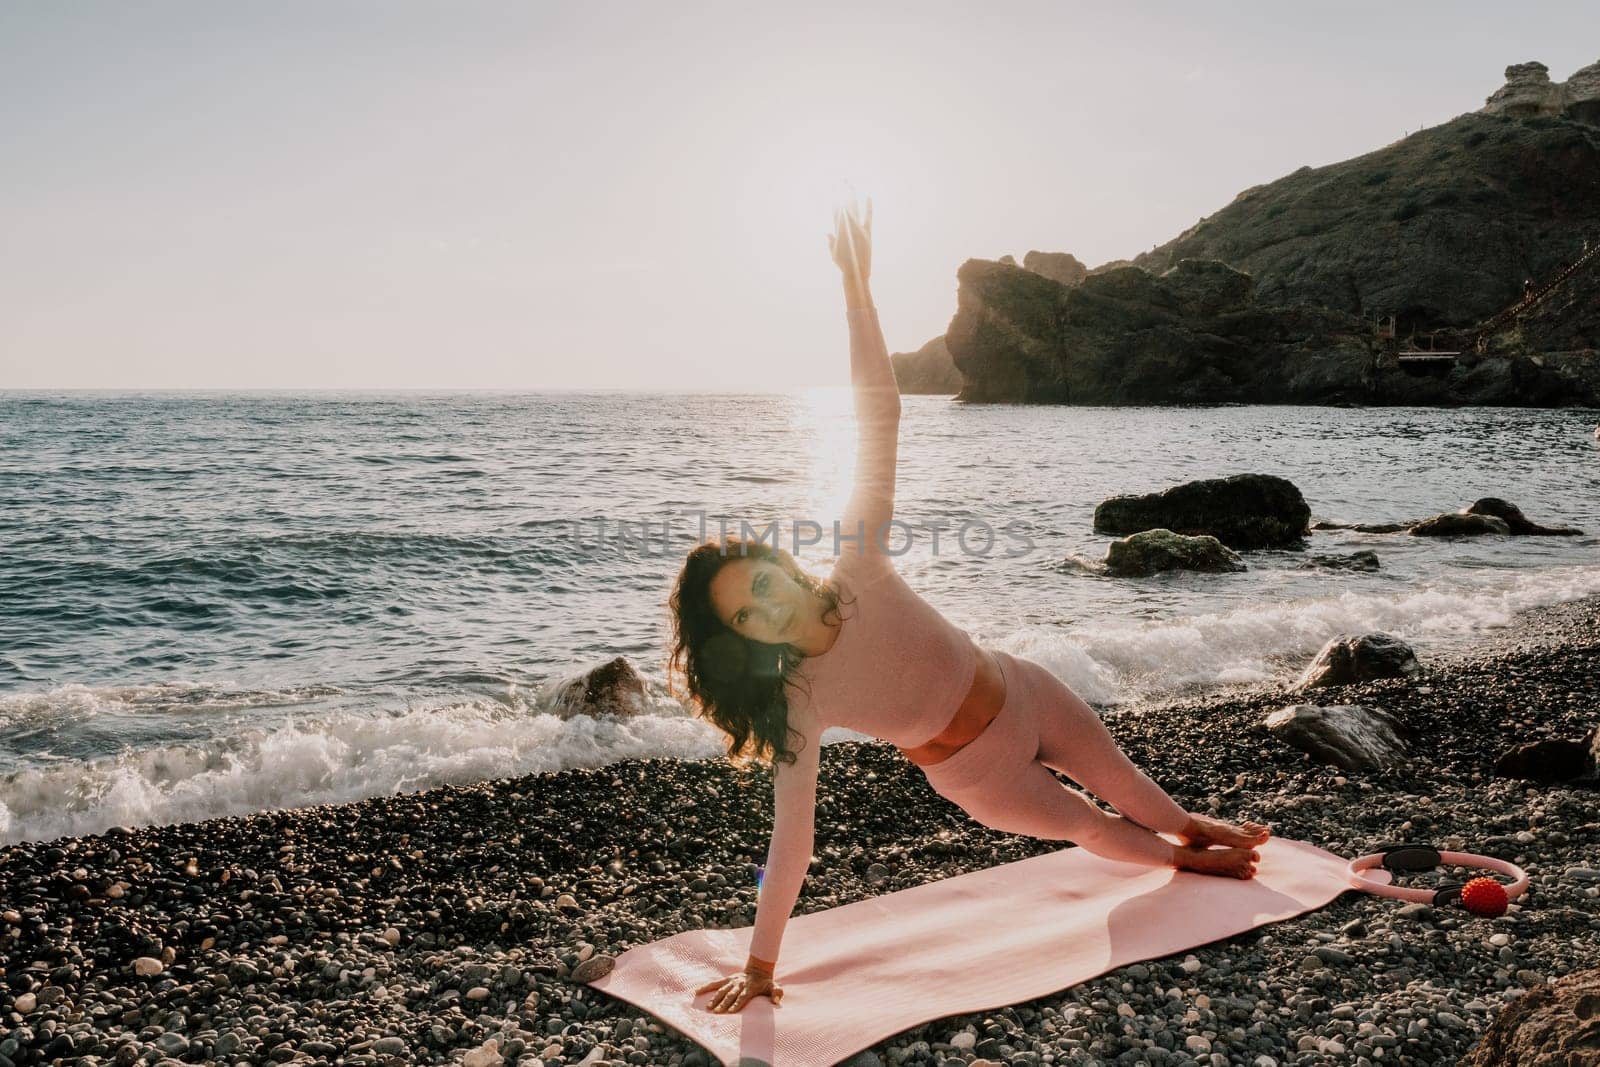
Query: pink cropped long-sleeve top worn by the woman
(898, 669)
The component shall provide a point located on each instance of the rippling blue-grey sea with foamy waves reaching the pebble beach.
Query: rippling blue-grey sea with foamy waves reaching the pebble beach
(217, 604)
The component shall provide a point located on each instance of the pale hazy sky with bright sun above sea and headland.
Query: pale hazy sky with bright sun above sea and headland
(636, 196)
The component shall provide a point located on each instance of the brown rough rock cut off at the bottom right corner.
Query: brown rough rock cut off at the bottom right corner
(1550, 1026)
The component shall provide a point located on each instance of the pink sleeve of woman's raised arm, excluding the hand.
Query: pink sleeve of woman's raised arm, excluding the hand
(878, 407)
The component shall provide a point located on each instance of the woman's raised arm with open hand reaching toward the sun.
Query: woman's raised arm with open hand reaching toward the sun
(874, 390)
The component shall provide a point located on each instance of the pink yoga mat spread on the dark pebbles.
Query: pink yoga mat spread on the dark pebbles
(860, 973)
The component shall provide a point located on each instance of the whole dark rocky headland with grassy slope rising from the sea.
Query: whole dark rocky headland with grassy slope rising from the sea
(1278, 297)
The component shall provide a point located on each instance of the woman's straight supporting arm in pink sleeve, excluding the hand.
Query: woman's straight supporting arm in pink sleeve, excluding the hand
(794, 837)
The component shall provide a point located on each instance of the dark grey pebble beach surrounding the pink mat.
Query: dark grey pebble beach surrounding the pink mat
(458, 925)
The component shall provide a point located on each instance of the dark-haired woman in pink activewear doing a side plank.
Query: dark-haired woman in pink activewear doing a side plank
(769, 652)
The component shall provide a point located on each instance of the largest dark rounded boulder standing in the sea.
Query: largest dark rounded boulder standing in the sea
(1246, 511)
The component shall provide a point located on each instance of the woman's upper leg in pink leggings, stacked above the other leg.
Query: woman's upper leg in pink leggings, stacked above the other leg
(1074, 741)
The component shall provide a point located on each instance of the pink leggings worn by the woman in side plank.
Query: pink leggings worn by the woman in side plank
(1002, 778)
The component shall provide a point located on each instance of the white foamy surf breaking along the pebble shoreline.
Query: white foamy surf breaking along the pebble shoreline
(342, 756)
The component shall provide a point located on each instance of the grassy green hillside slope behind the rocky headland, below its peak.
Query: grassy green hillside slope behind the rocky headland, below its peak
(1442, 228)
